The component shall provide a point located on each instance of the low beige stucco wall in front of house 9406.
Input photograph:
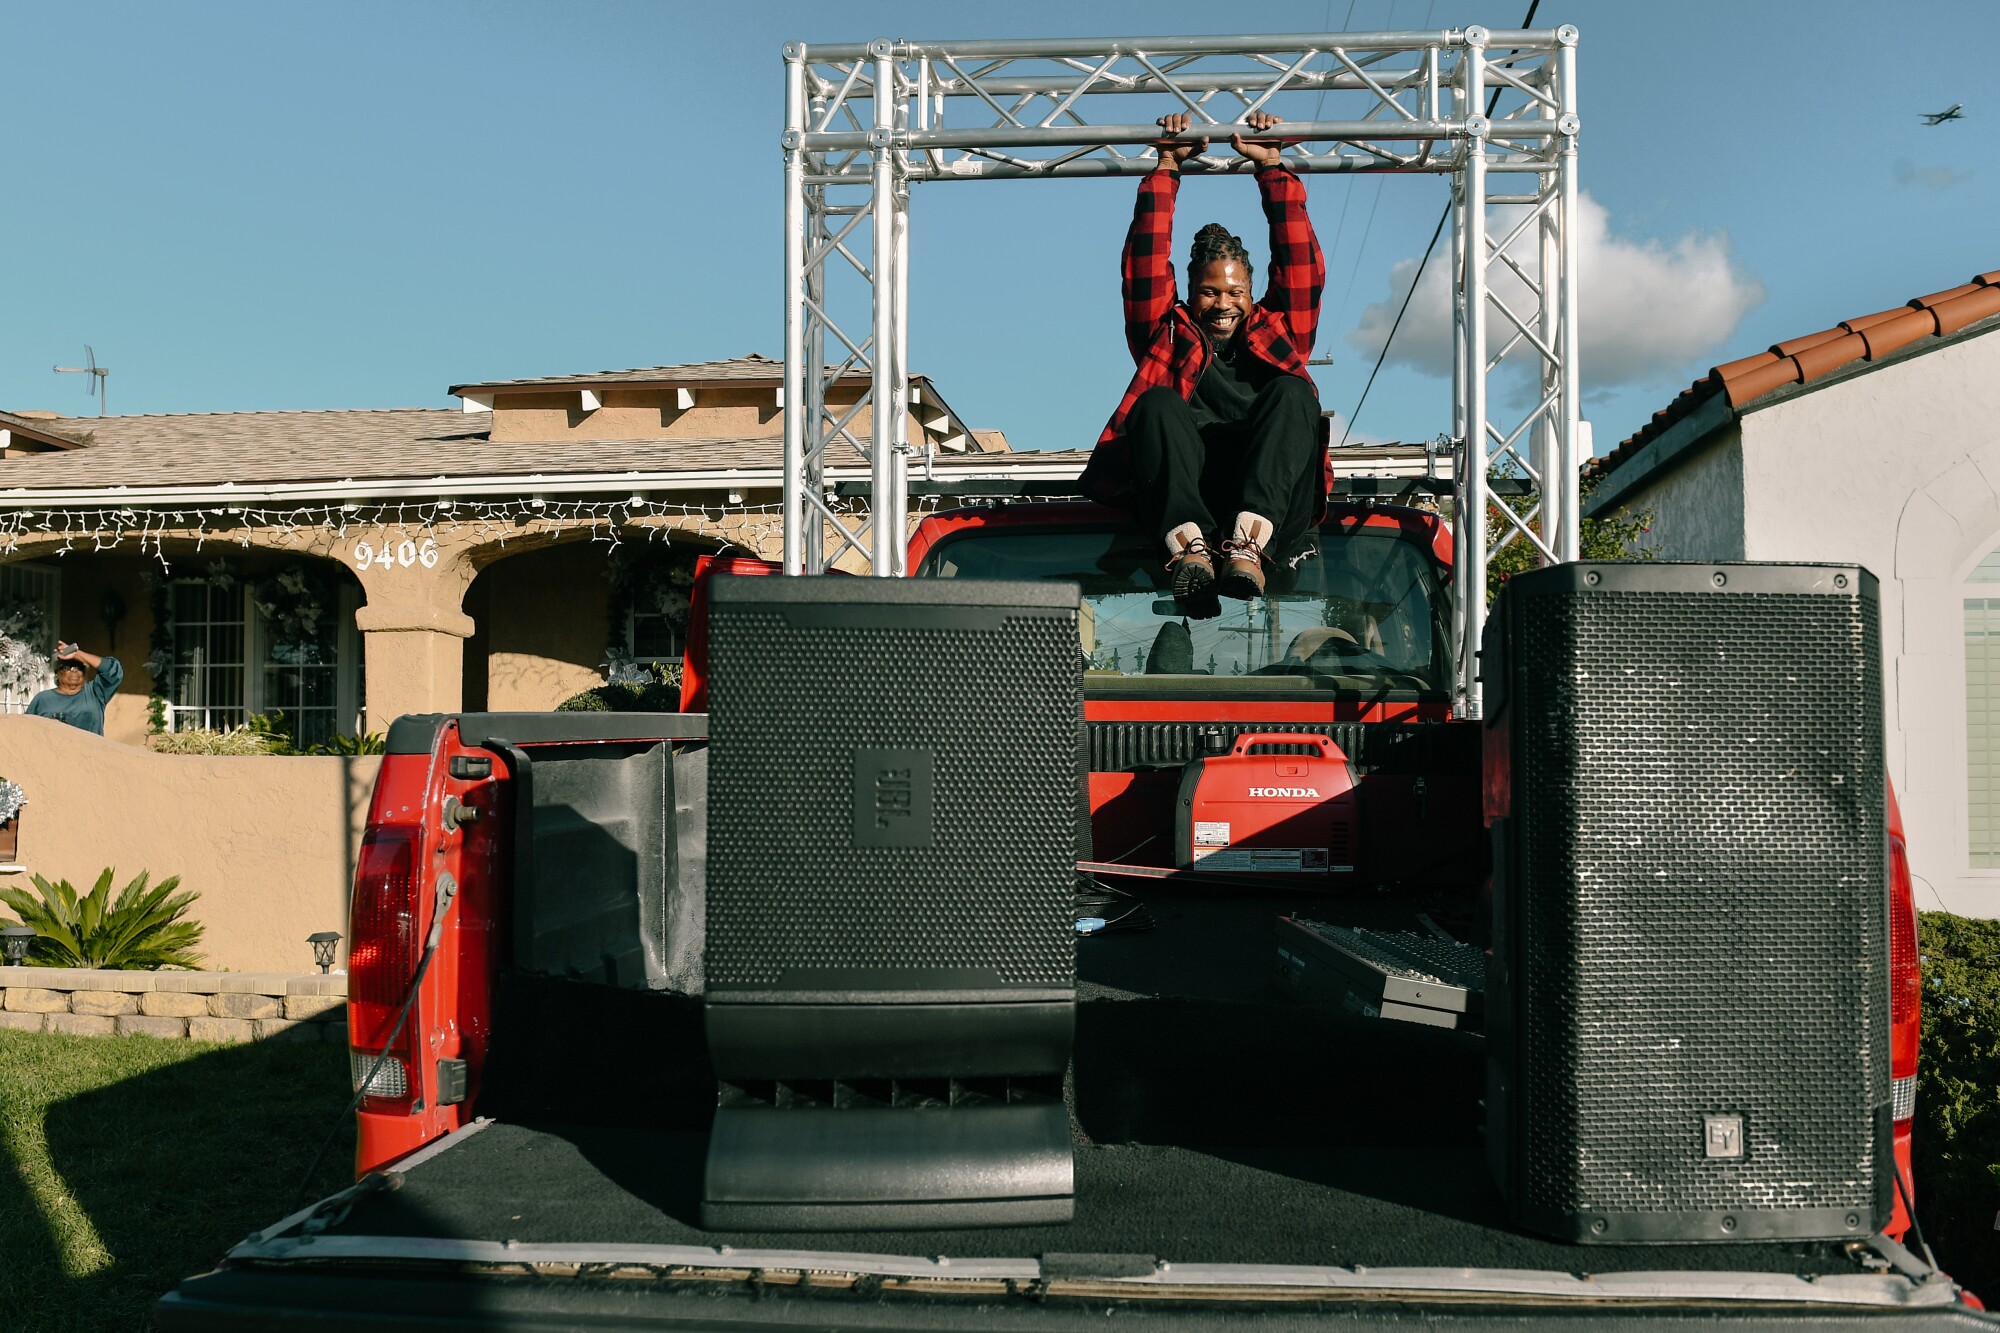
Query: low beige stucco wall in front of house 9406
(269, 844)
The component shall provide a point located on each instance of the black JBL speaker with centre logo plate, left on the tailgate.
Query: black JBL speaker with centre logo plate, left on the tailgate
(895, 816)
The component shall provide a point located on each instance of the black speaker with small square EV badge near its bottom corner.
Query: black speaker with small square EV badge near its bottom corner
(1689, 992)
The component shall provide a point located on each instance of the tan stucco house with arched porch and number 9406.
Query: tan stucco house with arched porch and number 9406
(349, 567)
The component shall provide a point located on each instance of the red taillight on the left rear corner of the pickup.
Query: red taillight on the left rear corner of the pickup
(381, 966)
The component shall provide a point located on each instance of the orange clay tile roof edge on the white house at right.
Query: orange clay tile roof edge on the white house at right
(1799, 361)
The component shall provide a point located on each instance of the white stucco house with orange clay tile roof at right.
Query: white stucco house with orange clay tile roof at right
(1875, 443)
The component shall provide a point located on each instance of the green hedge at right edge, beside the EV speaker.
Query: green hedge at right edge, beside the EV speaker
(1957, 1136)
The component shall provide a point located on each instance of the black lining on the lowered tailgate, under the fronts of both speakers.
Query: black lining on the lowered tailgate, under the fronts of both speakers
(1409, 1208)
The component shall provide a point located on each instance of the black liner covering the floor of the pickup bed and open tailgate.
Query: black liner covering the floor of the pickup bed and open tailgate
(1215, 1122)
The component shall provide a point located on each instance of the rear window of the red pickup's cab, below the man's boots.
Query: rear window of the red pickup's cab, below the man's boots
(1361, 611)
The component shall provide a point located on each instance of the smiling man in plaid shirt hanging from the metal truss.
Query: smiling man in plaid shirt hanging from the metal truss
(1223, 415)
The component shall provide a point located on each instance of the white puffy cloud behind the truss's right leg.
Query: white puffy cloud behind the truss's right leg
(1651, 309)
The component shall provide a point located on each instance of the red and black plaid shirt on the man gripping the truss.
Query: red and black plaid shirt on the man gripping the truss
(1171, 349)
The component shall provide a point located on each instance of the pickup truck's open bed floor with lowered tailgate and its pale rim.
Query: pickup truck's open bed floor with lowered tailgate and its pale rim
(1225, 1138)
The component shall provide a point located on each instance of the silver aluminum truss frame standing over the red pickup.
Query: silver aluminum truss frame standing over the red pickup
(869, 121)
